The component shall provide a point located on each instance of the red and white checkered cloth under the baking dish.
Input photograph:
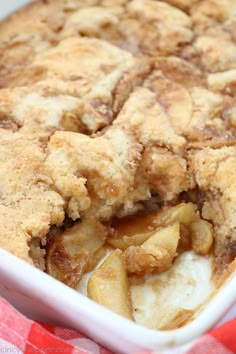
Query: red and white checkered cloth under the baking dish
(20, 335)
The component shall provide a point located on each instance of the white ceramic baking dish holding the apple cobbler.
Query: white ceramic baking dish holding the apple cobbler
(41, 297)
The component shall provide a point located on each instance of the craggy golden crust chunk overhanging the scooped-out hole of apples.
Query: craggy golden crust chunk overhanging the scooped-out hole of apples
(106, 173)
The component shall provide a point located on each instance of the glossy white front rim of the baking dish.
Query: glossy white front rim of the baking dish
(22, 274)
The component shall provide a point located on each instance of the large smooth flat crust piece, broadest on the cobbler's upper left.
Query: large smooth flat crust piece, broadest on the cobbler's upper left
(69, 69)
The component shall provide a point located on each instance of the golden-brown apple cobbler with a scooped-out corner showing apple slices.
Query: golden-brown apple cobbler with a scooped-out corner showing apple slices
(118, 138)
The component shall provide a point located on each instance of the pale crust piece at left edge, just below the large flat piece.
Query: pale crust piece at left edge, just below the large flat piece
(32, 111)
